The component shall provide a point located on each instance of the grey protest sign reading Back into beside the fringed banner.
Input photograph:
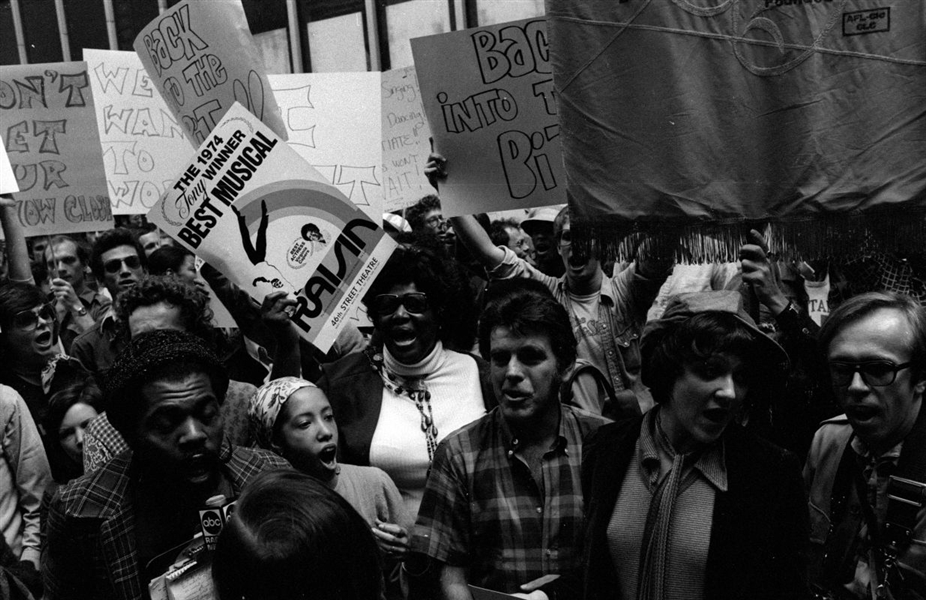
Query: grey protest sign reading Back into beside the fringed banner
(488, 94)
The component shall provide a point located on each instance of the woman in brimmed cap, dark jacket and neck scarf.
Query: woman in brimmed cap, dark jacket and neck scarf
(683, 503)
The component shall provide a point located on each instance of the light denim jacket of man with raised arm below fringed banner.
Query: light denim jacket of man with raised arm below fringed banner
(612, 342)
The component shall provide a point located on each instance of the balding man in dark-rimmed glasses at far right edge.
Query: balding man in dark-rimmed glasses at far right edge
(866, 471)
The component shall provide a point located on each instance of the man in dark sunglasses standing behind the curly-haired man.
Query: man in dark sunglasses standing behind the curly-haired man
(118, 262)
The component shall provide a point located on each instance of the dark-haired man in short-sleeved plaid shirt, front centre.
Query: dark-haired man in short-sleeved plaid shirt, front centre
(503, 504)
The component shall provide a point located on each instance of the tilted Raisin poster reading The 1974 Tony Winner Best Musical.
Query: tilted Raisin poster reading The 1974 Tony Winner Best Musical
(252, 208)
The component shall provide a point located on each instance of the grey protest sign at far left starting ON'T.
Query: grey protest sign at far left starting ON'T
(51, 139)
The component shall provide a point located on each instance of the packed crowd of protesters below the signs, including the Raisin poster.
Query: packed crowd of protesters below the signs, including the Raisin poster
(518, 410)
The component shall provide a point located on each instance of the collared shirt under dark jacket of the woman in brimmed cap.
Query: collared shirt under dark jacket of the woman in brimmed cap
(704, 475)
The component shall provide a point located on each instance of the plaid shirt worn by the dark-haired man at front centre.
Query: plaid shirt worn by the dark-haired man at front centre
(482, 507)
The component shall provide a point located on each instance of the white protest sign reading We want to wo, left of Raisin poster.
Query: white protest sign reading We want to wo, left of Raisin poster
(144, 148)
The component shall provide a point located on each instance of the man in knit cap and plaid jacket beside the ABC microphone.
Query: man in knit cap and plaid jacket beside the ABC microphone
(111, 531)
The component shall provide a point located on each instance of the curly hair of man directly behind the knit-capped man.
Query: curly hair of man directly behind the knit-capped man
(192, 302)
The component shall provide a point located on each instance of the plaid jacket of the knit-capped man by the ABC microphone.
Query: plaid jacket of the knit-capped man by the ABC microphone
(90, 548)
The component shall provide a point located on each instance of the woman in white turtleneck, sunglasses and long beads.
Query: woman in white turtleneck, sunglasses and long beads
(398, 399)
